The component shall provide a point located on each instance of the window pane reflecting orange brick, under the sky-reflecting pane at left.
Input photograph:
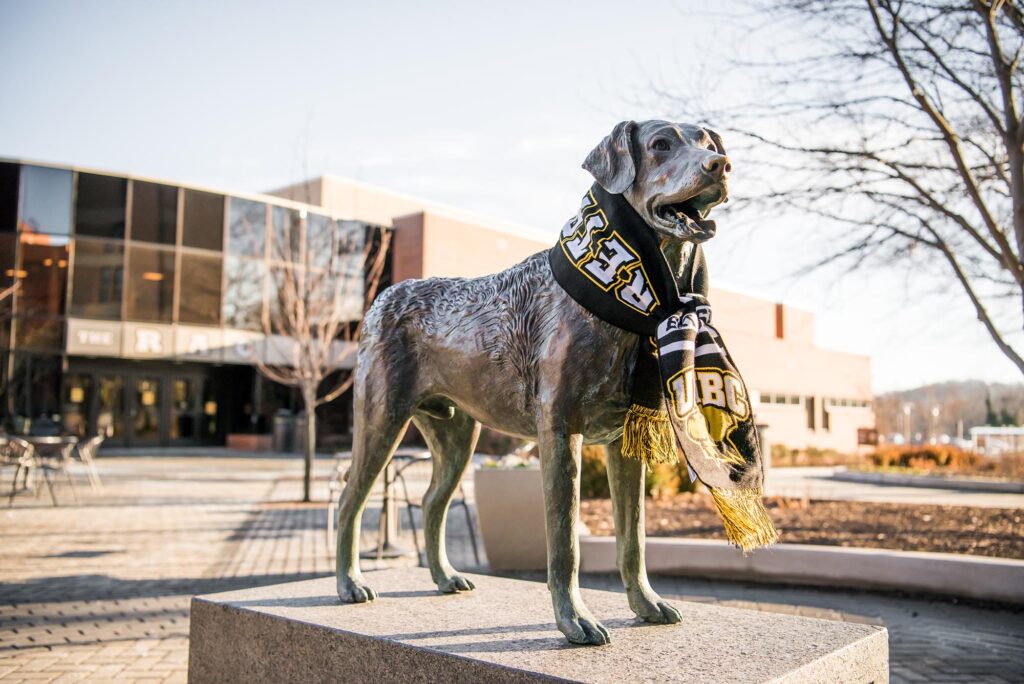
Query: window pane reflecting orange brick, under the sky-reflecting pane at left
(44, 275)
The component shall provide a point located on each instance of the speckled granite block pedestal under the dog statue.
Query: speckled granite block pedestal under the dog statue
(505, 632)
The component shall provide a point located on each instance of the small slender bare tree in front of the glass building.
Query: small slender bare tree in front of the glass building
(324, 274)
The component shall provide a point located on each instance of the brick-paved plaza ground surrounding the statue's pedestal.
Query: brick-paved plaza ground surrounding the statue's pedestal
(100, 590)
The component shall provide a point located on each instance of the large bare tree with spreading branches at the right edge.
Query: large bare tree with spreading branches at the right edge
(900, 123)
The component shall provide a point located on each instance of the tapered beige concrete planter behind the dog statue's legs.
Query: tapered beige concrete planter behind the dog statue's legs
(510, 509)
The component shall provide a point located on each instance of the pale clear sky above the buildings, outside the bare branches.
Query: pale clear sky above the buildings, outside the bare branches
(487, 107)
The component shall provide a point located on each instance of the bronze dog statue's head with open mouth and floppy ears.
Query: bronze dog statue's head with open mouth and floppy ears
(672, 175)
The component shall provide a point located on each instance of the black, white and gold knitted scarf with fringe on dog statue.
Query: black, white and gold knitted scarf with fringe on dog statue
(687, 388)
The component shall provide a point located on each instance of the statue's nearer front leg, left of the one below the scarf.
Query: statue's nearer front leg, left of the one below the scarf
(561, 474)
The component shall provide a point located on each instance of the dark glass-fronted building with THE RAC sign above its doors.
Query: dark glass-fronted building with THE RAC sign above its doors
(141, 306)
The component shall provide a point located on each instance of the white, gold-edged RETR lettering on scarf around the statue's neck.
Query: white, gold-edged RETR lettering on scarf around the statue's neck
(606, 259)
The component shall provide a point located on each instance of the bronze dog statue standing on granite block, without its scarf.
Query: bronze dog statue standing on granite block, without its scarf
(514, 352)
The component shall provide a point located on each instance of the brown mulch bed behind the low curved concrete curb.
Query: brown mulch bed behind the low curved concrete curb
(980, 532)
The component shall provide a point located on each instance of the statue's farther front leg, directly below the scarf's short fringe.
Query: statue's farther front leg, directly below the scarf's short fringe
(626, 479)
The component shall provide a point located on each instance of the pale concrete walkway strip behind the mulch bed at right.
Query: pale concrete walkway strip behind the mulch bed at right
(819, 484)
